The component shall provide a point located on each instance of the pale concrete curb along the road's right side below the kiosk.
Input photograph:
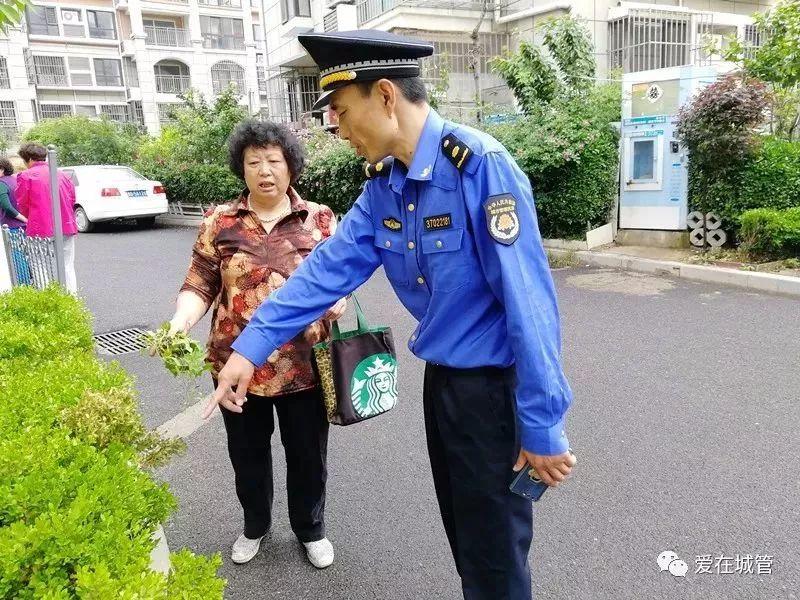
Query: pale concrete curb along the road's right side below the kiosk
(761, 282)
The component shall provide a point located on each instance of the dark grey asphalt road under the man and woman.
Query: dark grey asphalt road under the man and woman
(685, 423)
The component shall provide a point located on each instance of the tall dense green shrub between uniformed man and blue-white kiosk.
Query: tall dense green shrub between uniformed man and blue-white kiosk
(565, 142)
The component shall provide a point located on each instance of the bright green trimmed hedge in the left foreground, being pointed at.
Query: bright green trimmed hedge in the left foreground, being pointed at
(77, 511)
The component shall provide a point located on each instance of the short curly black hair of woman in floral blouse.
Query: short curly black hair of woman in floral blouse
(260, 134)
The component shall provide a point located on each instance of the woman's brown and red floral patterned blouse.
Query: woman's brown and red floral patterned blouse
(236, 264)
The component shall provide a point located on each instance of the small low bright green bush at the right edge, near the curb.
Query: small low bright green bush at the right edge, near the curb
(771, 232)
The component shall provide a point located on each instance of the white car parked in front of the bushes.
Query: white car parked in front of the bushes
(110, 192)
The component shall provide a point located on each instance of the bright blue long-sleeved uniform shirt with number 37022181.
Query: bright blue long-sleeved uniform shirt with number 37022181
(462, 251)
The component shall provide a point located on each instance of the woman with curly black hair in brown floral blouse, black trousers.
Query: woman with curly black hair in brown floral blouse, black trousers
(244, 251)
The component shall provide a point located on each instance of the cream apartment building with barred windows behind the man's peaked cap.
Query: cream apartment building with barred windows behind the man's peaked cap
(629, 36)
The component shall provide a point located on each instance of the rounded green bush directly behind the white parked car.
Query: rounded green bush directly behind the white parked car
(84, 141)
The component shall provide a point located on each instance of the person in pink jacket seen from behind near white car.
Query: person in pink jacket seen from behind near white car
(33, 199)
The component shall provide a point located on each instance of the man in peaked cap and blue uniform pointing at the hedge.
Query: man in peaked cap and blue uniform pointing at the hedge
(451, 218)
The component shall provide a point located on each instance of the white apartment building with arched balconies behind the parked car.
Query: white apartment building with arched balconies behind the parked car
(127, 59)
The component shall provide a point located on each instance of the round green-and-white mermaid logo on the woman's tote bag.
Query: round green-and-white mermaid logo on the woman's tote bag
(373, 389)
